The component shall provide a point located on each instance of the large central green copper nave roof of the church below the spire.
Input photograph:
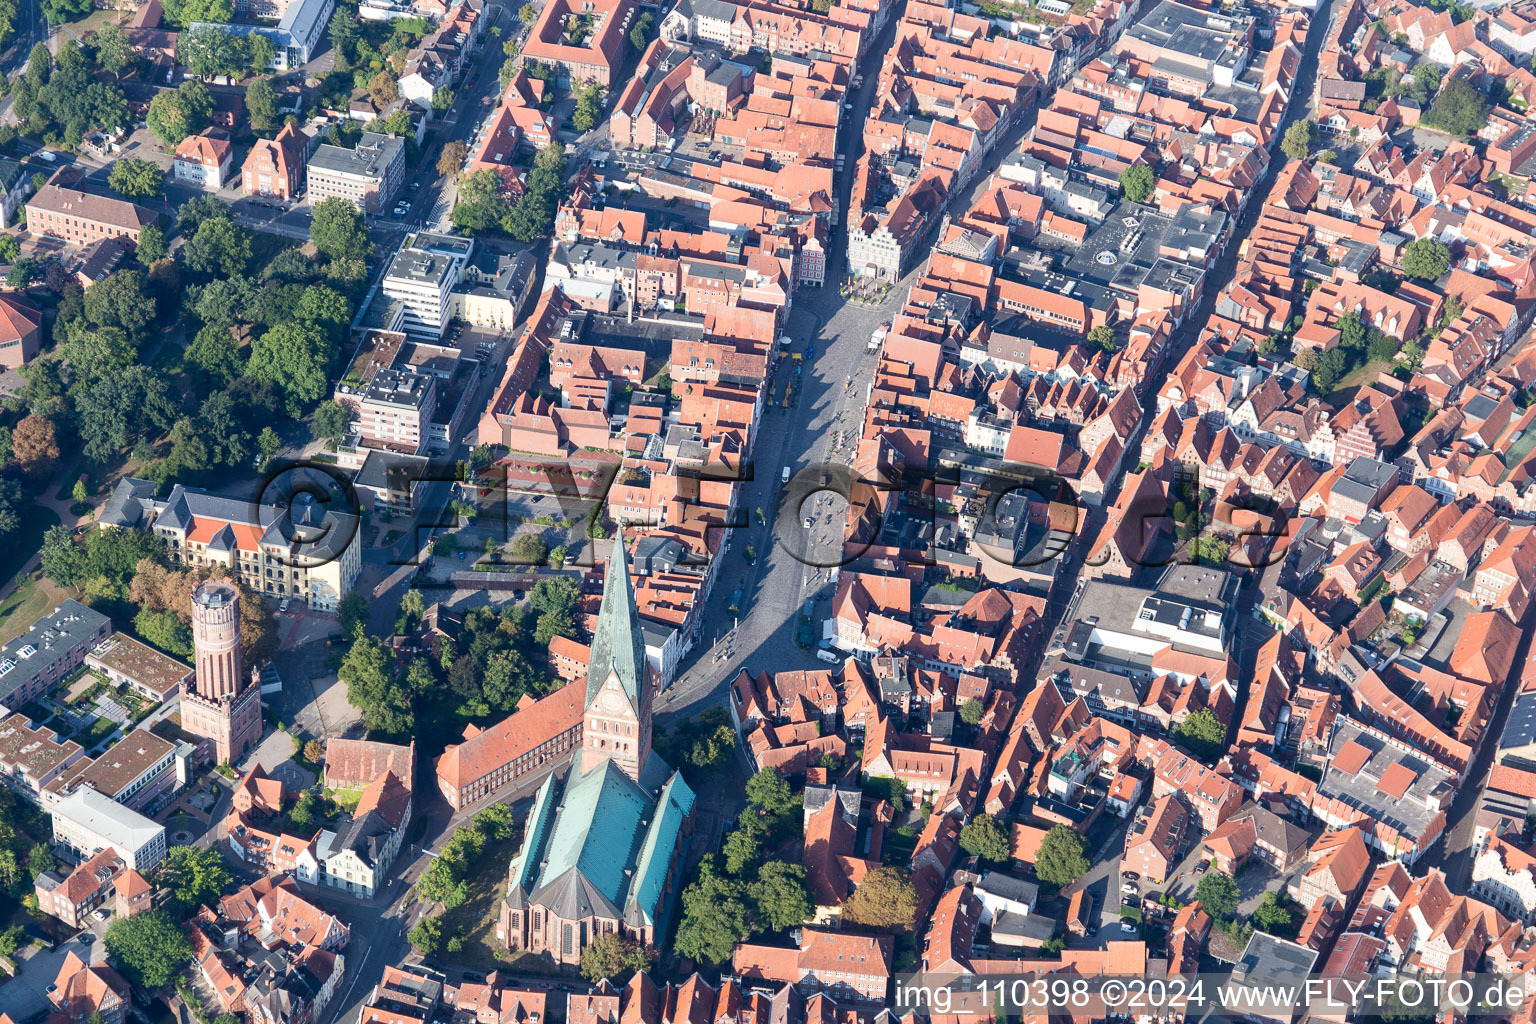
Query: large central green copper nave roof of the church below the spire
(598, 827)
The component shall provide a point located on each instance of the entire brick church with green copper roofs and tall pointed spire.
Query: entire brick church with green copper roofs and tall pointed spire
(603, 848)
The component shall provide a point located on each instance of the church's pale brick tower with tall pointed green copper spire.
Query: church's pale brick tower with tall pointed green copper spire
(618, 716)
